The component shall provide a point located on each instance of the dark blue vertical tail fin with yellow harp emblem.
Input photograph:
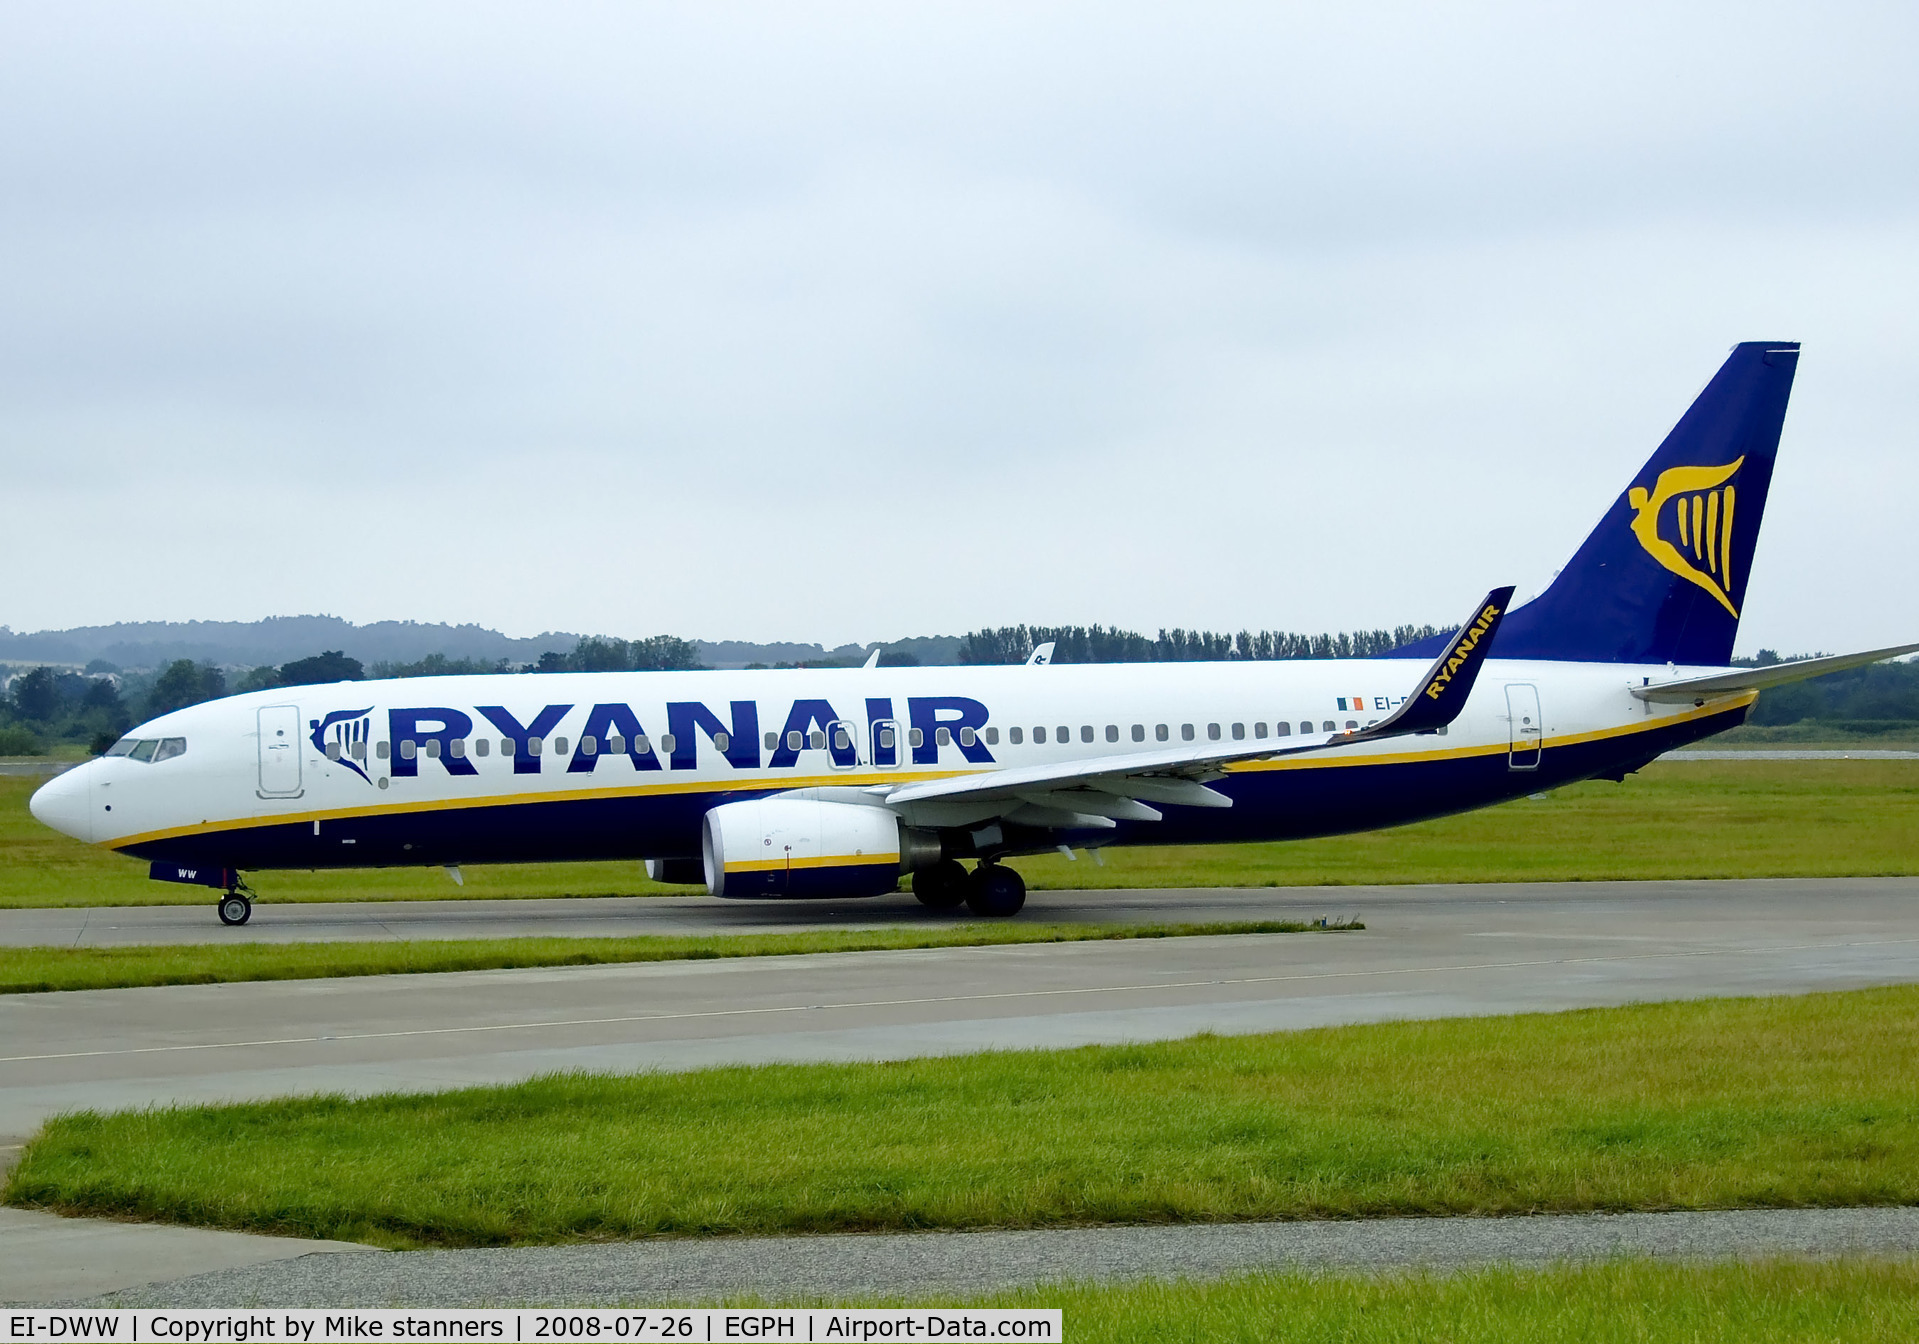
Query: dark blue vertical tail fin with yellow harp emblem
(1663, 577)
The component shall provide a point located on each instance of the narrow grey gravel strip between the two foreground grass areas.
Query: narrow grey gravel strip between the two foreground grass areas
(941, 1266)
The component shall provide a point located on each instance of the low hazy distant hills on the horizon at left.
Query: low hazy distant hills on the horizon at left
(250, 644)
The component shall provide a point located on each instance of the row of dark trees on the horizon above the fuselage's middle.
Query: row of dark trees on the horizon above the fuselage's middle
(1097, 644)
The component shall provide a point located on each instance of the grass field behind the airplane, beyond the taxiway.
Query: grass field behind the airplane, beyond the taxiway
(1709, 819)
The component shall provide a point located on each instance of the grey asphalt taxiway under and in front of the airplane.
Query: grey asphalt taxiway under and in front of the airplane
(1425, 953)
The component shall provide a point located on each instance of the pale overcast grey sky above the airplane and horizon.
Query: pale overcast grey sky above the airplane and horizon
(807, 322)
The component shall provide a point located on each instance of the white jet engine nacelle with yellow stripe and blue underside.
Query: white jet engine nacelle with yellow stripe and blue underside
(799, 848)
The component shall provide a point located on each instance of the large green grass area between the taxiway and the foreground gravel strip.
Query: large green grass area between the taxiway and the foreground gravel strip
(1703, 1105)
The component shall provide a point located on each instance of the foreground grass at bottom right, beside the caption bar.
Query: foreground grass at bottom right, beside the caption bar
(1623, 1303)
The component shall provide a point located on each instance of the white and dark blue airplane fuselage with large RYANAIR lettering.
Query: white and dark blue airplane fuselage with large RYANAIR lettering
(625, 765)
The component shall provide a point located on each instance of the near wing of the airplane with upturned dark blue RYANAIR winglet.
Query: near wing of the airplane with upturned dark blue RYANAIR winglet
(1099, 792)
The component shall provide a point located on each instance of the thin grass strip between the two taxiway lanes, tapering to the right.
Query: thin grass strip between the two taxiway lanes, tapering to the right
(26, 971)
